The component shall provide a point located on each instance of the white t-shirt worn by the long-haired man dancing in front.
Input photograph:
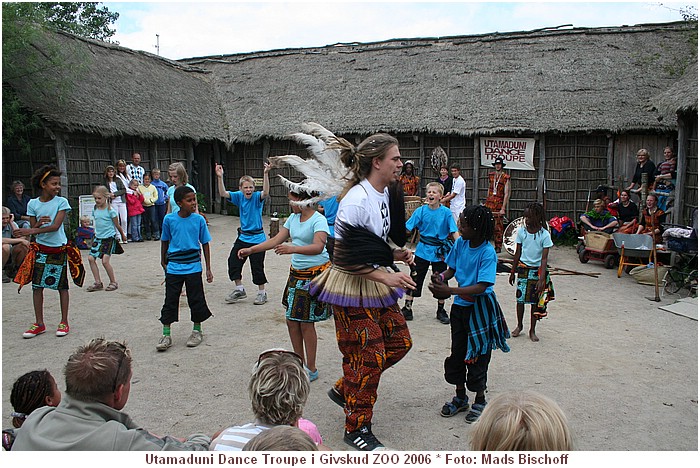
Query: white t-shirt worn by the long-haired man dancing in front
(364, 206)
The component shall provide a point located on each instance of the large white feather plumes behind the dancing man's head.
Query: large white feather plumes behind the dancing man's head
(324, 172)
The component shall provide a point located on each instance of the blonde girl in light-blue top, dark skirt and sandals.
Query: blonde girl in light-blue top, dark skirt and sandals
(106, 243)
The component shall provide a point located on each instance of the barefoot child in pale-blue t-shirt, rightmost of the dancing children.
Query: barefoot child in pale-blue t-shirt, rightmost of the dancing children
(534, 283)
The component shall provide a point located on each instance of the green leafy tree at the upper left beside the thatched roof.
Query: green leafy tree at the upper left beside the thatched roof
(22, 25)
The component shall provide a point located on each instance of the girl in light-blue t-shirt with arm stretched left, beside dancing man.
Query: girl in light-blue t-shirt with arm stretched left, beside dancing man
(308, 230)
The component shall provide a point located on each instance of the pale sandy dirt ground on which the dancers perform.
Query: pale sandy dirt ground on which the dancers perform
(623, 370)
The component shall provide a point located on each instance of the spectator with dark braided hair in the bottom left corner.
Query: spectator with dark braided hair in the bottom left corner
(29, 392)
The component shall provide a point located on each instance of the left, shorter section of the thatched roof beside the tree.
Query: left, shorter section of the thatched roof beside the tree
(116, 91)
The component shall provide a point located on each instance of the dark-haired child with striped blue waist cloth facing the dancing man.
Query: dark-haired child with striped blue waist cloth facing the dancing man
(477, 324)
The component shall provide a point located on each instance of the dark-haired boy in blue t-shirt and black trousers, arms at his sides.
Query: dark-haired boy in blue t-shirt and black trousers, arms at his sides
(182, 234)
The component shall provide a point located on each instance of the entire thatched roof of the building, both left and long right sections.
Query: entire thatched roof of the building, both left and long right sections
(551, 80)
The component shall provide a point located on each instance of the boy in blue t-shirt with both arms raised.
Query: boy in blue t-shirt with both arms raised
(250, 204)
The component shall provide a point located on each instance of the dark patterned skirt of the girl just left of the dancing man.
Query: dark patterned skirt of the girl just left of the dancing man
(299, 304)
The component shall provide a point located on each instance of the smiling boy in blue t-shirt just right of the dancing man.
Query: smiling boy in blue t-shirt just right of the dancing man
(437, 230)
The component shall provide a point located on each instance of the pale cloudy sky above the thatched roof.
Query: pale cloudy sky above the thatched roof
(189, 29)
